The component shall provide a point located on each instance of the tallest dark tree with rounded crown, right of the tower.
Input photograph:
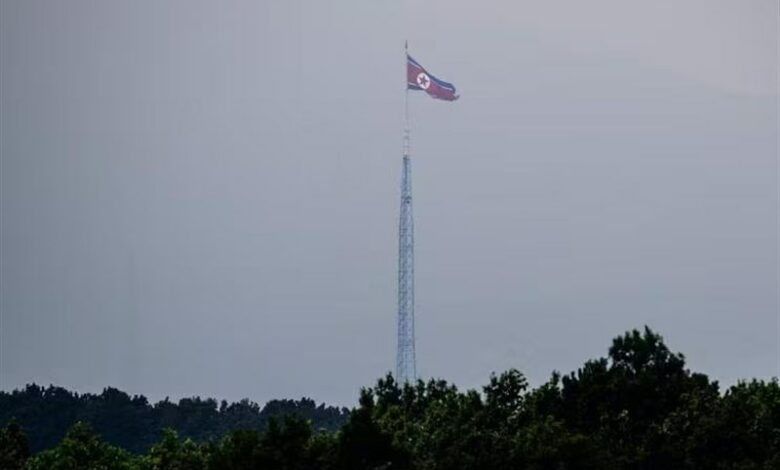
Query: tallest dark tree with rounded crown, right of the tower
(627, 399)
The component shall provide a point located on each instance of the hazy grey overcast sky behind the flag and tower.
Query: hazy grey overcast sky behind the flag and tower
(201, 198)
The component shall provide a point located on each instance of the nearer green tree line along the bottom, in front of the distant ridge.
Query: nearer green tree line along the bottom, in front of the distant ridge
(637, 408)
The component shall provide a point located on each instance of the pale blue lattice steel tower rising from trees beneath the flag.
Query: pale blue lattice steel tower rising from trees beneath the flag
(405, 362)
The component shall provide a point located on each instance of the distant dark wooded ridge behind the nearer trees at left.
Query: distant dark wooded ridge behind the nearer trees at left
(134, 424)
